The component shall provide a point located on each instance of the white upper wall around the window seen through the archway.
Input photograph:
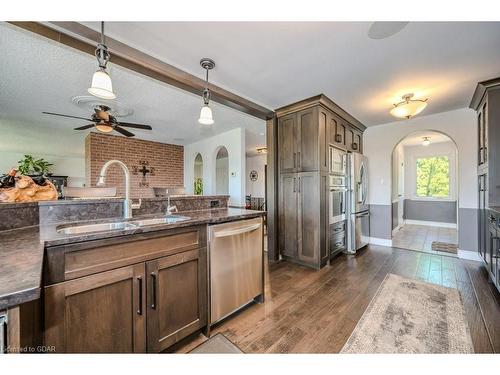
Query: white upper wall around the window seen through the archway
(411, 153)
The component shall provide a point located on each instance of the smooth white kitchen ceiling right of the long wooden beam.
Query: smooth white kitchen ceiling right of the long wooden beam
(277, 63)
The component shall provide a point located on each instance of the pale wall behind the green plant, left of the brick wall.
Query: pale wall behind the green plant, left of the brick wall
(63, 148)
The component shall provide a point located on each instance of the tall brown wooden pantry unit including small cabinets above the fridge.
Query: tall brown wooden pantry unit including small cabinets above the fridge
(306, 130)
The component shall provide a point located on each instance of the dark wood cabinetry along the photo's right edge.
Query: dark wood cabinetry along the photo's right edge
(486, 101)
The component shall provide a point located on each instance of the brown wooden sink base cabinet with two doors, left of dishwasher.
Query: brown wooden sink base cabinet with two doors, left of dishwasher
(137, 293)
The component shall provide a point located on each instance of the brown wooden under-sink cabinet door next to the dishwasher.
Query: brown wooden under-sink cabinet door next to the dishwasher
(177, 298)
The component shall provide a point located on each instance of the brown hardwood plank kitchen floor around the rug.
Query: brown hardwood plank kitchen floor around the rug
(309, 311)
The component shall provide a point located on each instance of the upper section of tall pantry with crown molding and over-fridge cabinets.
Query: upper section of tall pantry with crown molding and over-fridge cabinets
(307, 128)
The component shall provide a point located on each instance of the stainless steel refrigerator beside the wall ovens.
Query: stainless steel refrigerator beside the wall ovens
(359, 210)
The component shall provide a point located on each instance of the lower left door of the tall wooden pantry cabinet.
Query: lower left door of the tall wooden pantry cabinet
(288, 215)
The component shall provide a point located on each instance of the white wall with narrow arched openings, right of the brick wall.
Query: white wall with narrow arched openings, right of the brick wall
(234, 141)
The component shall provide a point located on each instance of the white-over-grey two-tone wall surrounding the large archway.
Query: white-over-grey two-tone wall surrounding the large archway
(379, 142)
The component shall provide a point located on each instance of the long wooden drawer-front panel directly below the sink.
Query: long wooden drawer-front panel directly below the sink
(82, 259)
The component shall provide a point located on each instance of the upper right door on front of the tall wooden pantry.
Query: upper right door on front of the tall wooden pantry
(307, 141)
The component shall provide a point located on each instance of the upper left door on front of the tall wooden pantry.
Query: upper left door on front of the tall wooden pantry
(287, 143)
